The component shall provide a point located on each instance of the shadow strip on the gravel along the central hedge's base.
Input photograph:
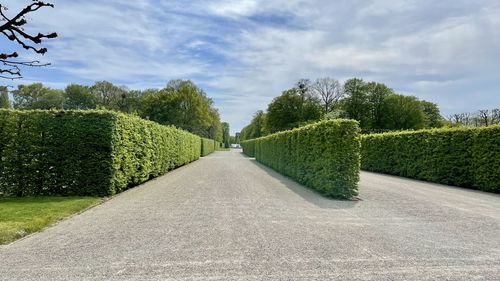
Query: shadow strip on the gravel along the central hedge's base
(306, 193)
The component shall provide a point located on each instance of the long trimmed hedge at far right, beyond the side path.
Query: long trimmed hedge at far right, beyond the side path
(466, 157)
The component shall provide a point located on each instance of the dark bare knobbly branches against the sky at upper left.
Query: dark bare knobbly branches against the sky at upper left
(13, 29)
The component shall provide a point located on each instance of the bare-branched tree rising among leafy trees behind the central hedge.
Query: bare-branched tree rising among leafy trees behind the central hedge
(329, 91)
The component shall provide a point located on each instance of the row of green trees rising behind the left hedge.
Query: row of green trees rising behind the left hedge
(181, 103)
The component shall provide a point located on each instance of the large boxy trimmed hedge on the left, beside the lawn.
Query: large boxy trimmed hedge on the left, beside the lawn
(95, 153)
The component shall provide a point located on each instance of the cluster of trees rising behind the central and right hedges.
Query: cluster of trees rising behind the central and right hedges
(377, 107)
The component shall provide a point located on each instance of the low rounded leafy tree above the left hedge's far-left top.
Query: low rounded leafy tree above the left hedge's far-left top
(36, 96)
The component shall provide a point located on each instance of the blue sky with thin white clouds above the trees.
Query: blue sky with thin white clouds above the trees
(244, 53)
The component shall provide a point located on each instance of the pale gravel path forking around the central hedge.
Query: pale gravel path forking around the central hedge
(228, 217)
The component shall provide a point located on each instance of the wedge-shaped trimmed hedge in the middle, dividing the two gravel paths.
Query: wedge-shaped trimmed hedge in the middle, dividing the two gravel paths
(324, 156)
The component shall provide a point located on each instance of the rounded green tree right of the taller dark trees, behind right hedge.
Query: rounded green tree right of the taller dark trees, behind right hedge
(402, 113)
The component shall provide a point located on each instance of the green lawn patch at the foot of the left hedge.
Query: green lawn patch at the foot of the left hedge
(21, 216)
